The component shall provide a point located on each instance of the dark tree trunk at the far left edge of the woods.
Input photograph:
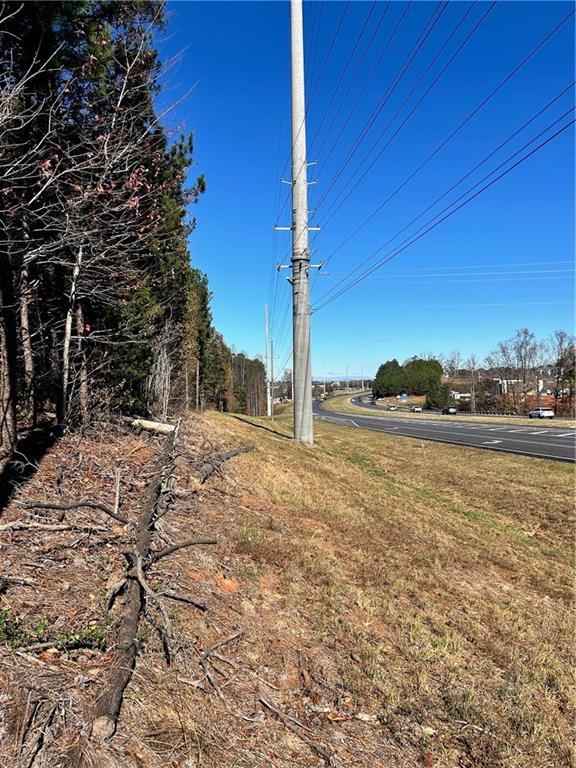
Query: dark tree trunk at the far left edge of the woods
(7, 364)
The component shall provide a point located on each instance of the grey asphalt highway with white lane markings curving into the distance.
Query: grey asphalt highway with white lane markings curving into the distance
(543, 440)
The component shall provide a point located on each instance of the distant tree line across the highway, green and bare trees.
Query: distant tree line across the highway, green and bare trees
(516, 376)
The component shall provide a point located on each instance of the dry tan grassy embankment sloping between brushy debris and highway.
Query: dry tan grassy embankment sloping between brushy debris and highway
(432, 581)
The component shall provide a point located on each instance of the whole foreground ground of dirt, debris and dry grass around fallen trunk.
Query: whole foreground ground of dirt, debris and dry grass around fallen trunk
(373, 601)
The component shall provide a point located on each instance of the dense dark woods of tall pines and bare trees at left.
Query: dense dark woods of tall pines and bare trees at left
(100, 308)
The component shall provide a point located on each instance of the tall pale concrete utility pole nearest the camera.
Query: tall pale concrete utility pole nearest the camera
(301, 360)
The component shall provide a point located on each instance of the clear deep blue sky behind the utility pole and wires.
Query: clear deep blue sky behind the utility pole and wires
(502, 262)
